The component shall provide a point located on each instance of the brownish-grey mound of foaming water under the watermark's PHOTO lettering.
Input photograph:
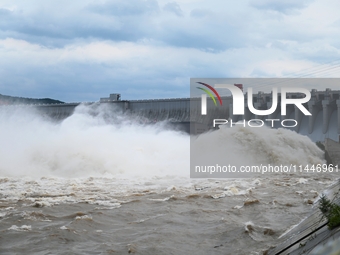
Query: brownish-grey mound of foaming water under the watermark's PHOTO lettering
(247, 146)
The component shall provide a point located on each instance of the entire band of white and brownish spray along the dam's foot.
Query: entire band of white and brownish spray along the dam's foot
(95, 141)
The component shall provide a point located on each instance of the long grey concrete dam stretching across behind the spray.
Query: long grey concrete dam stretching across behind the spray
(185, 113)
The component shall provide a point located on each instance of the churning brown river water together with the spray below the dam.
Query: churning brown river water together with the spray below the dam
(101, 184)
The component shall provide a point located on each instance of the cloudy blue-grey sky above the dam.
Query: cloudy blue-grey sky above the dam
(82, 50)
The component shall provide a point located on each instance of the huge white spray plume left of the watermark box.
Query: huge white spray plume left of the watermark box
(88, 144)
